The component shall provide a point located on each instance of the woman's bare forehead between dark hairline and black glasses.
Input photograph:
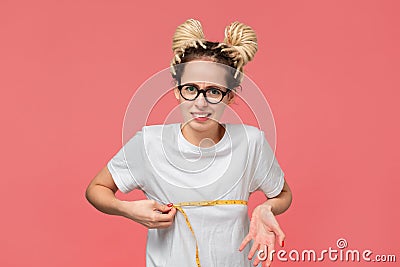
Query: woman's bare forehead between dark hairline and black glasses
(205, 71)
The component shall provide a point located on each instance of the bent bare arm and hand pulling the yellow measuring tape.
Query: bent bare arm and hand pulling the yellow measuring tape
(101, 194)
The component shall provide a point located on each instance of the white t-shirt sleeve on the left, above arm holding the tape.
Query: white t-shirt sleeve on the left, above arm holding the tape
(126, 164)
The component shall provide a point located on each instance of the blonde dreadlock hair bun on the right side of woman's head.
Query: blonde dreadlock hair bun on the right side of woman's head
(242, 42)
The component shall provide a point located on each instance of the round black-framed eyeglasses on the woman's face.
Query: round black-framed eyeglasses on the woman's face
(212, 94)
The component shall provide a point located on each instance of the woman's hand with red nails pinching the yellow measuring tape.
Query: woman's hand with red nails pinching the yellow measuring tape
(149, 213)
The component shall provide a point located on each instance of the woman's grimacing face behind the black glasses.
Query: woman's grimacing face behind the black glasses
(199, 114)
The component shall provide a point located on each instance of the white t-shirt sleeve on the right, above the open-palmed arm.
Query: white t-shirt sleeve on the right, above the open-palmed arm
(268, 175)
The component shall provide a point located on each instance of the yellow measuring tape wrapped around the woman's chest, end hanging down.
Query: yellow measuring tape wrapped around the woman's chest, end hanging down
(204, 203)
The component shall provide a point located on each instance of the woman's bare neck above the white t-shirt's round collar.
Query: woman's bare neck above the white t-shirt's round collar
(206, 138)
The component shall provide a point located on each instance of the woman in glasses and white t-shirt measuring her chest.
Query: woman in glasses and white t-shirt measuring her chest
(198, 175)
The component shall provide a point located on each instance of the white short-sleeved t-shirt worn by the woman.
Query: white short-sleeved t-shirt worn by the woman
(169, 169)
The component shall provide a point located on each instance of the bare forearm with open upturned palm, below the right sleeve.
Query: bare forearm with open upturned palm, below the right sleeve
(264, 228)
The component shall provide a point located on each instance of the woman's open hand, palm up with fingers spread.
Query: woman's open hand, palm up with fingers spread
(264, 230)
